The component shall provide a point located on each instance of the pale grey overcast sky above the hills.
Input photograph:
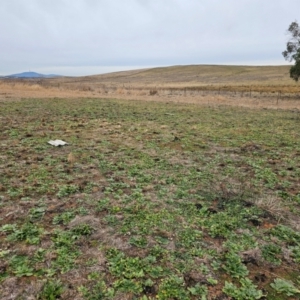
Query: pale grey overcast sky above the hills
(84, 37)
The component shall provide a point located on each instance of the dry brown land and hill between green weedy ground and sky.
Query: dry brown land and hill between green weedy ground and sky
(247, 86)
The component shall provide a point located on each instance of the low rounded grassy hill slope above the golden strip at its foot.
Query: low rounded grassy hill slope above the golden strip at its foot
(207, 74)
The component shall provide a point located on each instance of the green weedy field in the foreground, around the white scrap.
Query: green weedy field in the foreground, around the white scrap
(148, 200)
